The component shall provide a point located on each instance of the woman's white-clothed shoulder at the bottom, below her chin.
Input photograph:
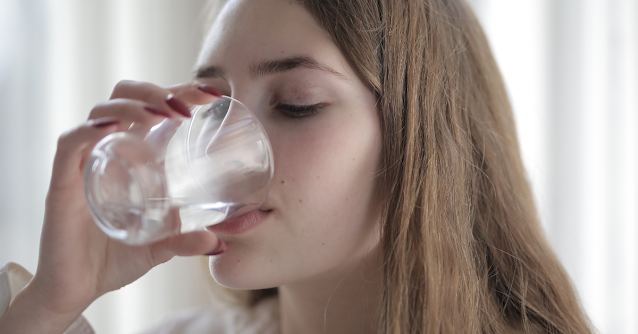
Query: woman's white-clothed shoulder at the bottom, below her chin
(263, 318)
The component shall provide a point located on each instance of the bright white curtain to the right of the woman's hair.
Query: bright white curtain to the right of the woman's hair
(571, 67)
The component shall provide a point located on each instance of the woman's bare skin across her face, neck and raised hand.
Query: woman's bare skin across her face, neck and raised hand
(317, 242)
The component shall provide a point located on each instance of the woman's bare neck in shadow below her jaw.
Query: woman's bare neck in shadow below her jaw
(342, 301)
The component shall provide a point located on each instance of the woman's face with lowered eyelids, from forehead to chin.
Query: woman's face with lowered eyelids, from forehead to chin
(321, 216)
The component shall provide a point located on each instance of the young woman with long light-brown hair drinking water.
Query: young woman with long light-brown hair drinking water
(399, 202)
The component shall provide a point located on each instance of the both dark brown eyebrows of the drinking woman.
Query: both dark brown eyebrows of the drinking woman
(271, 67)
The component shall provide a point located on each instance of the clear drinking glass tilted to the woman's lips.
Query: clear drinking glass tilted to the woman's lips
(144, 185)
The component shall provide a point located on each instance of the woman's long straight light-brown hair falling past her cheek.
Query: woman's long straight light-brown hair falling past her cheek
(463, 249)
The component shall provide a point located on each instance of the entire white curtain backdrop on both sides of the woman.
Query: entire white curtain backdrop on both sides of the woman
(571, 67)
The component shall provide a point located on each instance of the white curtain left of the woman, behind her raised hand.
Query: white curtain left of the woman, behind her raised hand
(57, 59)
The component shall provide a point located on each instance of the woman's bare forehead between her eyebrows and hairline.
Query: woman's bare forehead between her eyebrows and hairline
(251, 32)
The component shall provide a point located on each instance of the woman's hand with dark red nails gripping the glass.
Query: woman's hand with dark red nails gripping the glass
(78, 262)
